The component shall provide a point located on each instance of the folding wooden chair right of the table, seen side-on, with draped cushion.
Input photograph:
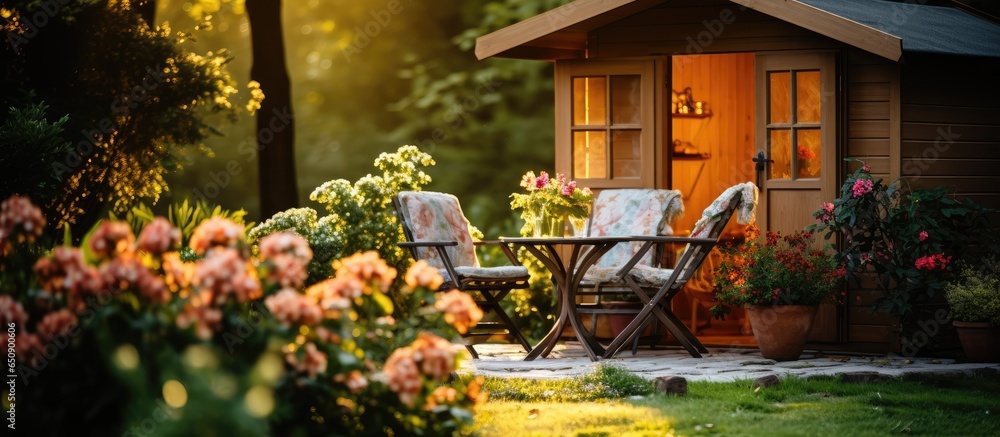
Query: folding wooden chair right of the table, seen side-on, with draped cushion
(656, 287)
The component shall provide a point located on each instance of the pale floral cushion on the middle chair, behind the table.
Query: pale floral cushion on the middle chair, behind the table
(629, 212)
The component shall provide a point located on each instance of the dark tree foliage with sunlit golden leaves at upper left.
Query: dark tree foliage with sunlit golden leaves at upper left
(132, 95)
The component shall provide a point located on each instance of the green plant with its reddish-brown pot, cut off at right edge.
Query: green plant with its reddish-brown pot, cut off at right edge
(974, 299)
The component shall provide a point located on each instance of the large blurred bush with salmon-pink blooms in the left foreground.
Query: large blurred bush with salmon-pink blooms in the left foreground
(144, 340)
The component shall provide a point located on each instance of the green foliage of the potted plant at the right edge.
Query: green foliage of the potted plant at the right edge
(974, 296)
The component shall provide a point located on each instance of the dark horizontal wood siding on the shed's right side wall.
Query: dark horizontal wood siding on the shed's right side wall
(951, 126)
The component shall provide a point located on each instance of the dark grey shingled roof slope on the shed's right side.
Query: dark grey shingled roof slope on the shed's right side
(923, 28)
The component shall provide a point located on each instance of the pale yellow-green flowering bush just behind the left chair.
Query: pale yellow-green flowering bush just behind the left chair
(360, 216)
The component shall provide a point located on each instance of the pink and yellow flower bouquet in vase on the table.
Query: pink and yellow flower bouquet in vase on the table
(551, 204)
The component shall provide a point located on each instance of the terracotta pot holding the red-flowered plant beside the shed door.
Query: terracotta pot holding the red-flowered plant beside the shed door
(781, 330)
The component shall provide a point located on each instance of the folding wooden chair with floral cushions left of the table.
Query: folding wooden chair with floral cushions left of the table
(438, 233)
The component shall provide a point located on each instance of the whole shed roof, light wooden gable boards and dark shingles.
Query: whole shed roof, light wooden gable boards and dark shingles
(886, 28)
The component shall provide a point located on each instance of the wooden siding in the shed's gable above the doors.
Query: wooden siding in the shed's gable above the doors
(686, 27)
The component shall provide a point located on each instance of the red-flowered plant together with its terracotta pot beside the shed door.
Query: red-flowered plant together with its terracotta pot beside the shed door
(781, 281)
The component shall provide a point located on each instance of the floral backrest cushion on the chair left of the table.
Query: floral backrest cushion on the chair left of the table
(438, 217)
